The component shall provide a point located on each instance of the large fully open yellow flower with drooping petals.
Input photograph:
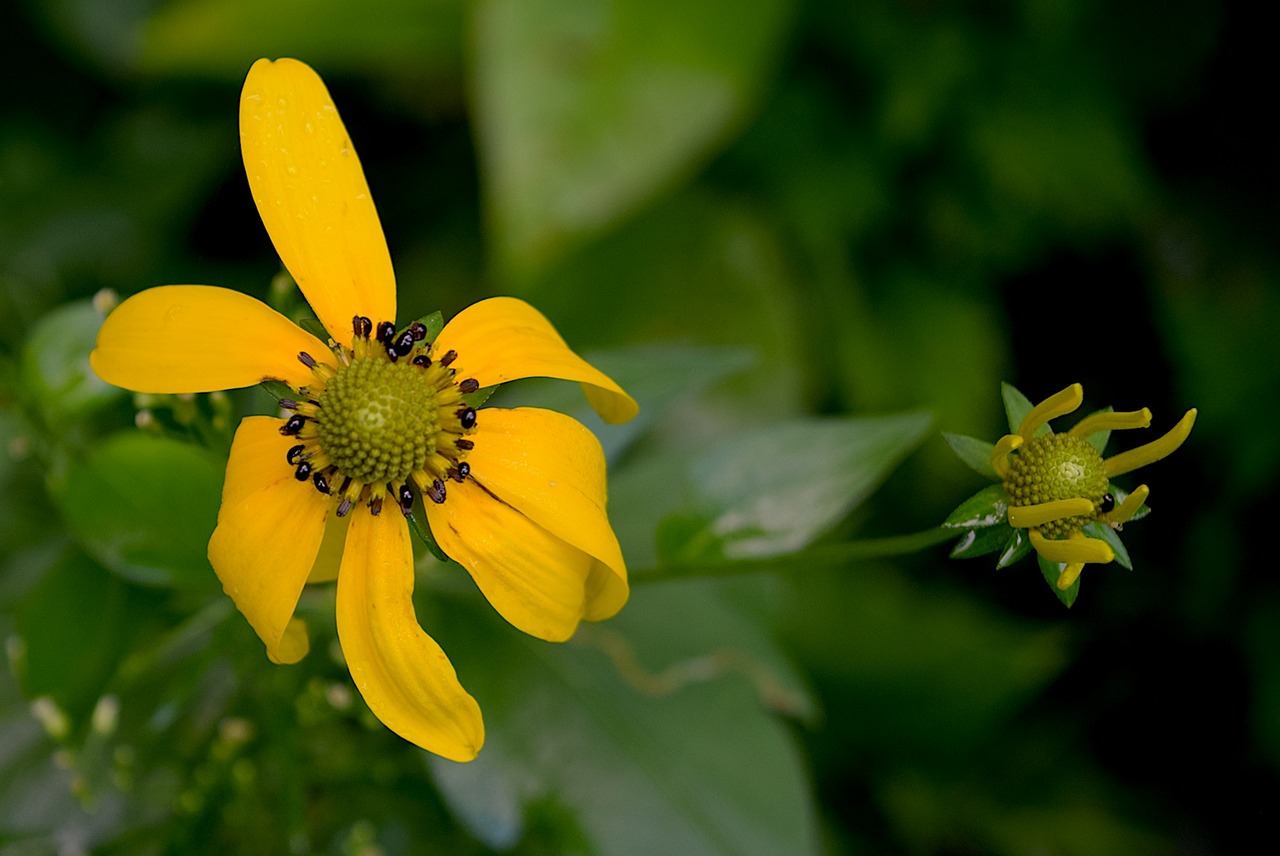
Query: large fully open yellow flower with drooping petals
(516, 497)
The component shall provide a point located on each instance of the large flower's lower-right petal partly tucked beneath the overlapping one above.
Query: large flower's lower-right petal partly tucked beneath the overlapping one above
(534, 580)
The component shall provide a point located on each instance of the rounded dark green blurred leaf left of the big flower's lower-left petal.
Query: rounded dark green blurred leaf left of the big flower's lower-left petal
(145, 507)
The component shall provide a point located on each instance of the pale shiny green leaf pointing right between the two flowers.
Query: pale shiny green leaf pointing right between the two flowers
(778, 489)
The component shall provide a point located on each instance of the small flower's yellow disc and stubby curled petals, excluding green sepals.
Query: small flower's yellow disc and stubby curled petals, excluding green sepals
(1058, 484)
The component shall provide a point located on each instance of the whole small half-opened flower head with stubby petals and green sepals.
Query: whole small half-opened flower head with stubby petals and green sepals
(1055, 493)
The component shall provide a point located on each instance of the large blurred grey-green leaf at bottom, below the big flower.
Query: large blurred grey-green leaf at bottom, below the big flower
(643, 735)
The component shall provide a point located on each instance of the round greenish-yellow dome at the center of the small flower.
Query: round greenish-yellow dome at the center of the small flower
(1058, 466)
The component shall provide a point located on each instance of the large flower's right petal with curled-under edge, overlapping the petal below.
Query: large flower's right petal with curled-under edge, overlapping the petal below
(551, 469)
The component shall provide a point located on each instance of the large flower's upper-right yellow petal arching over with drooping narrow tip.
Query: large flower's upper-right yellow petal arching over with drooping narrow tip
(505, 338)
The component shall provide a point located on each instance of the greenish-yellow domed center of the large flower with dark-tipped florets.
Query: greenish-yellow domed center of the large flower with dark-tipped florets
(391, 414)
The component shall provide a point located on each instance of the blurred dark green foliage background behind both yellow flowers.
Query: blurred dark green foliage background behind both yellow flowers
(790, 230)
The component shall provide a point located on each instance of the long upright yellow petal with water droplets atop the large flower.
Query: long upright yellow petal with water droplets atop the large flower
(313, 198)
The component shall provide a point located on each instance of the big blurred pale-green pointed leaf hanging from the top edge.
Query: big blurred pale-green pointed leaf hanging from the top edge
(586, 111)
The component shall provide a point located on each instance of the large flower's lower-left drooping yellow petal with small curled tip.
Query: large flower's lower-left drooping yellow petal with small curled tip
(269, 530)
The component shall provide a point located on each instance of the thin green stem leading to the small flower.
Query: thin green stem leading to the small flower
(824, 556)
